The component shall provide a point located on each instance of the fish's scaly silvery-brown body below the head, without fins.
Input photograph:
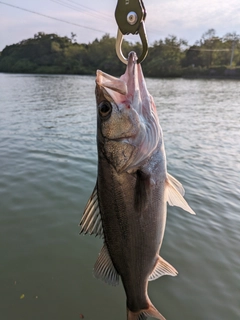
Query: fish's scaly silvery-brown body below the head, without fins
(133, 235)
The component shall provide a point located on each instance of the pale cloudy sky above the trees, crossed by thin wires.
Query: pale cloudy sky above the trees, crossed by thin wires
(186, 19)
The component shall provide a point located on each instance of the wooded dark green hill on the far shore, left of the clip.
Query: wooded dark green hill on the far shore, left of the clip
(49, 53)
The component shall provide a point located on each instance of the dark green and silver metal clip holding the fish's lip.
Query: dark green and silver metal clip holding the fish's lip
(130, 16)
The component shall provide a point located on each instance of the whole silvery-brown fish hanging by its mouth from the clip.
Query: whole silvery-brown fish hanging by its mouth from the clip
(128, 206)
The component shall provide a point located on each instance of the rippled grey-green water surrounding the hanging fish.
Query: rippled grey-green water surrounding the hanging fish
(48, 170)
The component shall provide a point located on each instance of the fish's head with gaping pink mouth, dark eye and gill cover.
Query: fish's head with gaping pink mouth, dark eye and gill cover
(128, 125)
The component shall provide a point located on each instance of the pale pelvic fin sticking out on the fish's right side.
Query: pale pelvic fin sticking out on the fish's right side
(174, 194)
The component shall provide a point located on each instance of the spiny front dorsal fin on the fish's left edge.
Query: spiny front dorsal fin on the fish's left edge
(91, 220)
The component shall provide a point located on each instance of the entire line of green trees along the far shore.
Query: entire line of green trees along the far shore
(171, 57)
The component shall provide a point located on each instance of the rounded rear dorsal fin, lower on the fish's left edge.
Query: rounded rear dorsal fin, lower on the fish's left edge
(104, 268)
